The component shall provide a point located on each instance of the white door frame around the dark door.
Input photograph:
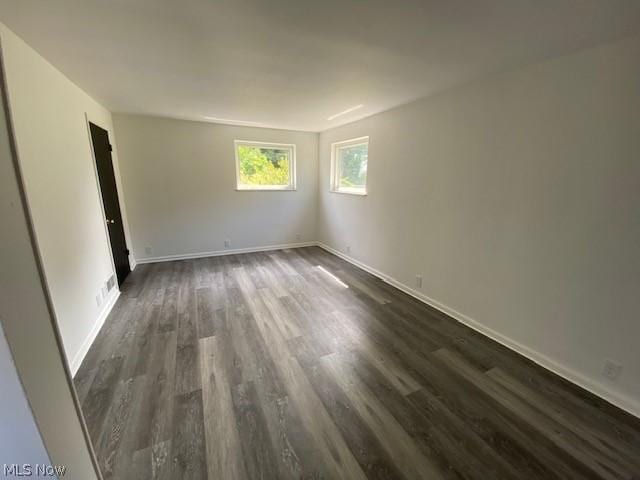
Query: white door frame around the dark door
(116, 173)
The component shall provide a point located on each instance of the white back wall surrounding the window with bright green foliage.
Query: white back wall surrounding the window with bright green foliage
(180, 185)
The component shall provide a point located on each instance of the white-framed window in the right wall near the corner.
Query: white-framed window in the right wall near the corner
(349, 166)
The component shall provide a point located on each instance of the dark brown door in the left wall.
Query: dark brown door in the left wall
(113, 216)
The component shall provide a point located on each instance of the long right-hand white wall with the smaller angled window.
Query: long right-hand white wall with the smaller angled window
(518, 200)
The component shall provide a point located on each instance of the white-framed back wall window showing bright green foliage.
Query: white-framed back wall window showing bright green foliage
(265, 166)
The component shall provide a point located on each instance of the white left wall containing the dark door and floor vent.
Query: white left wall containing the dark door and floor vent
(55, 154)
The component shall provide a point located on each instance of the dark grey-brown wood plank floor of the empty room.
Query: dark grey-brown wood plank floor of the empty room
(296, 364)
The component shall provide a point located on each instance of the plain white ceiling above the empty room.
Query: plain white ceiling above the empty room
(295, 63)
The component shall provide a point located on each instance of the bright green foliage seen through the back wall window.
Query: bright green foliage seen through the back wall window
(263, 166)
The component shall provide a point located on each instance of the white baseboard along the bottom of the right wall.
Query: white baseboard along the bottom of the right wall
(623, 402)
